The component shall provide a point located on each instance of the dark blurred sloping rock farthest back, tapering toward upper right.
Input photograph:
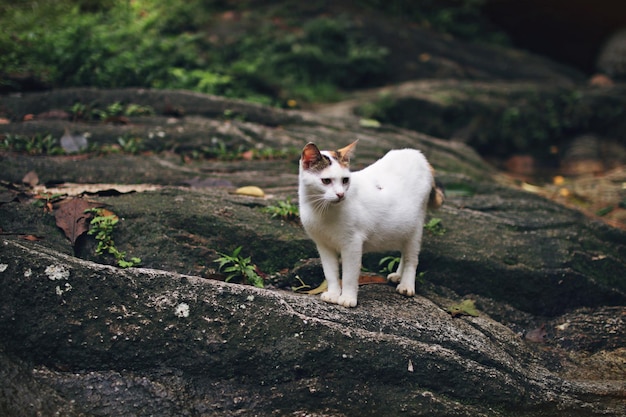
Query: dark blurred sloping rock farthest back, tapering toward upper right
(415, 52)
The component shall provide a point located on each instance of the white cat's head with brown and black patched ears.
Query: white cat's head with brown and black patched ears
(326, 174)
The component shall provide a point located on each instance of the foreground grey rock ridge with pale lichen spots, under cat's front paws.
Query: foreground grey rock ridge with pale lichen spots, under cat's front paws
(115, 345)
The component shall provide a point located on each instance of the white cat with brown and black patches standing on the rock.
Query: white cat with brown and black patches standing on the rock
(380, 208)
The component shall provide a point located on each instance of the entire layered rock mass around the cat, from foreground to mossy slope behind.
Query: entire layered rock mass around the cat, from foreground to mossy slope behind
(94, 339)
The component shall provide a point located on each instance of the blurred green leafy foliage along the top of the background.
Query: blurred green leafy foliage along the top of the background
(288, 50)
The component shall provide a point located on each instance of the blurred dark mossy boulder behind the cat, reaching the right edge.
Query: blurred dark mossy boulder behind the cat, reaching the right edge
(497, 119)
